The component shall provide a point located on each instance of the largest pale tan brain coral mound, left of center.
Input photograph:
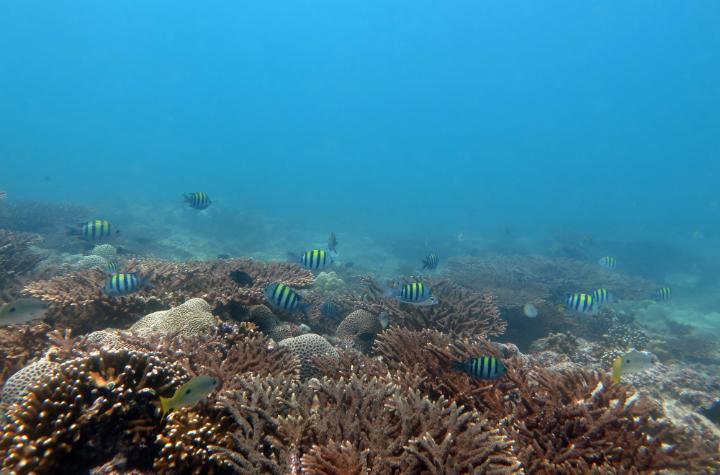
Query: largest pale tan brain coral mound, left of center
(194, 317)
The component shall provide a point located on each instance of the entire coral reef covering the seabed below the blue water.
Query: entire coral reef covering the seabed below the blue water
(374, 391)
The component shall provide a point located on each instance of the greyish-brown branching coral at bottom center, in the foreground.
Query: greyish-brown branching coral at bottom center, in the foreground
(391, 430)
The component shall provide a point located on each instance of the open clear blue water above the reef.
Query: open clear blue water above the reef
(404, 120)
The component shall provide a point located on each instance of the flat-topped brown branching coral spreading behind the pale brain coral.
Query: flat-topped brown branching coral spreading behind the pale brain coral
(76, 300)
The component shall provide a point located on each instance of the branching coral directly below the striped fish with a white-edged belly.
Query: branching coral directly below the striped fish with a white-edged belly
(460, 311)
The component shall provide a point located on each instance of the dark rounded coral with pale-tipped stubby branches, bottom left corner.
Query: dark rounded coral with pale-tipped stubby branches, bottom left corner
(90, 409)
